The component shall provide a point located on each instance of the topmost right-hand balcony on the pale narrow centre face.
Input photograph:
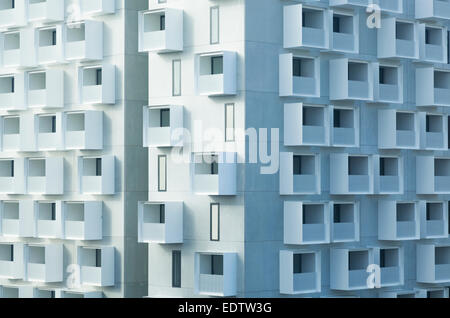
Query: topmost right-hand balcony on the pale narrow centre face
(217, 74)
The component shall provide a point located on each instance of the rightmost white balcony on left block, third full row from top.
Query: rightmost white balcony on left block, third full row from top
(83, 130)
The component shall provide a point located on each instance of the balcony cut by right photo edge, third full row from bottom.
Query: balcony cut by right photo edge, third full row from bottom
(432, 175)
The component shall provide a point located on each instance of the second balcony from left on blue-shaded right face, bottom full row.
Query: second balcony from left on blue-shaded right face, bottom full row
(348, 268)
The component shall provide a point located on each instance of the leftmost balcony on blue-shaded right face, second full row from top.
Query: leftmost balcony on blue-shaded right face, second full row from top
(299, 76)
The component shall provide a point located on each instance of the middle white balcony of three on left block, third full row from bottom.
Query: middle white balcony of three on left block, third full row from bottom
(46, 176)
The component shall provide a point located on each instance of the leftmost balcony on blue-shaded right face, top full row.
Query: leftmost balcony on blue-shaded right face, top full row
(306, 27)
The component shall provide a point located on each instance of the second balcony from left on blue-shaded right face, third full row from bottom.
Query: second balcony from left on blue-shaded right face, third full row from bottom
(351, 174)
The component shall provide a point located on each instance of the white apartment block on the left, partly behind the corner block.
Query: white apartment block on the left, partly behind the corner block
(72, 165)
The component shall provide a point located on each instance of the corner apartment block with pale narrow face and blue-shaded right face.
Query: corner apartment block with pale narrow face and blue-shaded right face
(360, 99)
